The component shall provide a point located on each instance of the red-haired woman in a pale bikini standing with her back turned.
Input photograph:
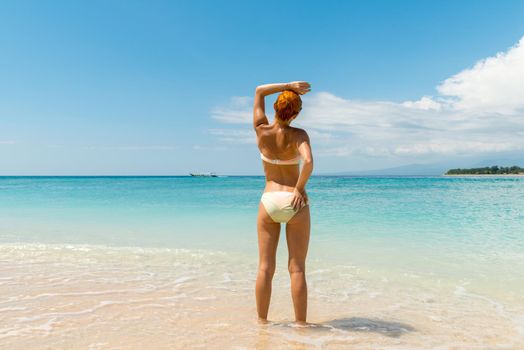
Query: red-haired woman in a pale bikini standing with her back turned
(284, 199)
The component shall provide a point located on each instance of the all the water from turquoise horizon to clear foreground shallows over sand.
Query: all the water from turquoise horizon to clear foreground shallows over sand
(395, 263)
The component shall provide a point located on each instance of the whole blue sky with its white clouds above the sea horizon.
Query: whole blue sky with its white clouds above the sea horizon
(164, 87)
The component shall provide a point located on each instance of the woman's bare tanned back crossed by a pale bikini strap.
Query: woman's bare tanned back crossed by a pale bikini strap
(279, 143)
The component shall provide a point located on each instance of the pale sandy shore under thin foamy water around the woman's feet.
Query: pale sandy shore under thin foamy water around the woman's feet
(89, 297)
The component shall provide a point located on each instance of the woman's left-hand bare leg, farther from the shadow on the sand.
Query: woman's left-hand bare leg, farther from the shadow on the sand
(268, 234)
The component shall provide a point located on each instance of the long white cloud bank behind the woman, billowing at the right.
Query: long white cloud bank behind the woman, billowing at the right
(479, 110)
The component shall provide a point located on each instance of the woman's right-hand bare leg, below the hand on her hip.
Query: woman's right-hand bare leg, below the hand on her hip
(297, 235)
